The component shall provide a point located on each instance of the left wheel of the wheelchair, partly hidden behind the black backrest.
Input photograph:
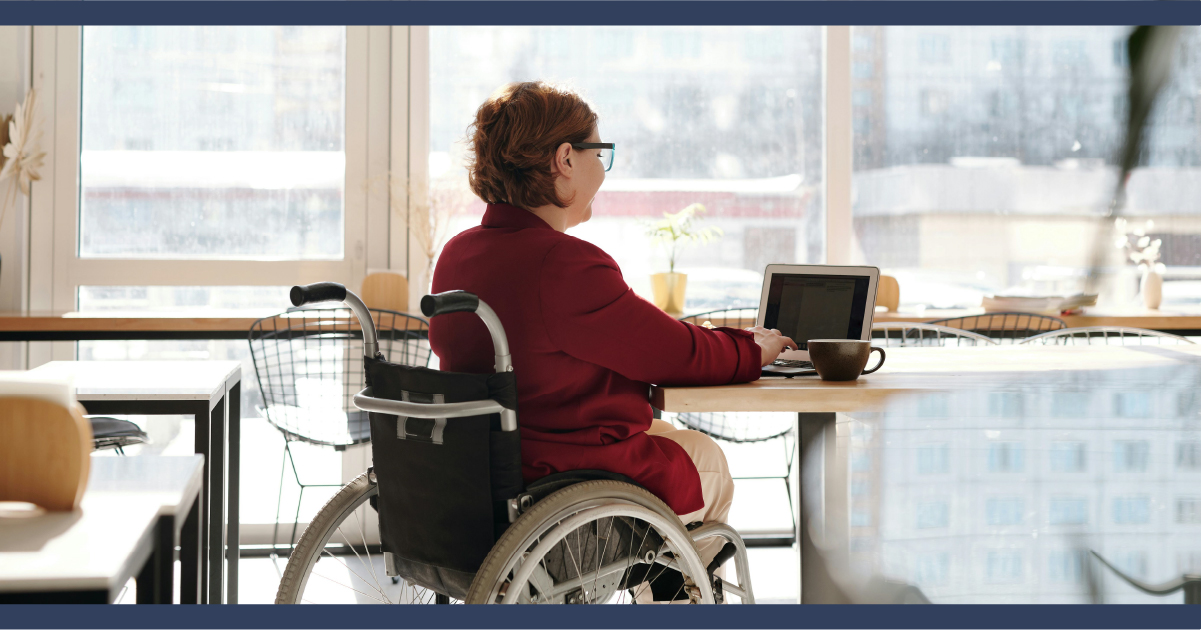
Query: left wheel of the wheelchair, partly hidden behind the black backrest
(356, 579)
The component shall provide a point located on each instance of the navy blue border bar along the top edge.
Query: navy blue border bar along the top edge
(605, 13)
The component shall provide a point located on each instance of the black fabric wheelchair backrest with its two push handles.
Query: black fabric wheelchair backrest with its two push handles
(446, 448)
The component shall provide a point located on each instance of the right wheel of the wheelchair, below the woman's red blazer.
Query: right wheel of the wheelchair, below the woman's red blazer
(594, 543)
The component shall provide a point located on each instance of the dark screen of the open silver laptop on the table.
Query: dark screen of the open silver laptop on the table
(806, 307)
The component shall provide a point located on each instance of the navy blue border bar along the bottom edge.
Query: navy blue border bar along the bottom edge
(537, 617)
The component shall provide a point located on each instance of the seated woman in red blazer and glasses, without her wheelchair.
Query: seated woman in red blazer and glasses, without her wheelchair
(584, 345)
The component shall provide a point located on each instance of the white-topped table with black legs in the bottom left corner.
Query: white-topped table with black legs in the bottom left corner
(133, 514)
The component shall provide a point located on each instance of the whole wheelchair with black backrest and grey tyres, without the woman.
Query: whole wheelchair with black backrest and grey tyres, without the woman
(456, 520)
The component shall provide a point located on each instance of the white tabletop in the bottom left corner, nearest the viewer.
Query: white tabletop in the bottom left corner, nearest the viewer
(97, 548)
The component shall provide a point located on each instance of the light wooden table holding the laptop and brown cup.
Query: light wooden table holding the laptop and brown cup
(910, 371)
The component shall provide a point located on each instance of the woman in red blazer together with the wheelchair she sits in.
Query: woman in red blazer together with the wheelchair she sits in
(549, 334)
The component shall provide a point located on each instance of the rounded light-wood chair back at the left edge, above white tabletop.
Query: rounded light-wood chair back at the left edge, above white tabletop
(45, 453)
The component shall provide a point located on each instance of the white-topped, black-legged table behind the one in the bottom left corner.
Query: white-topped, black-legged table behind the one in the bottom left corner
(211, 392)
